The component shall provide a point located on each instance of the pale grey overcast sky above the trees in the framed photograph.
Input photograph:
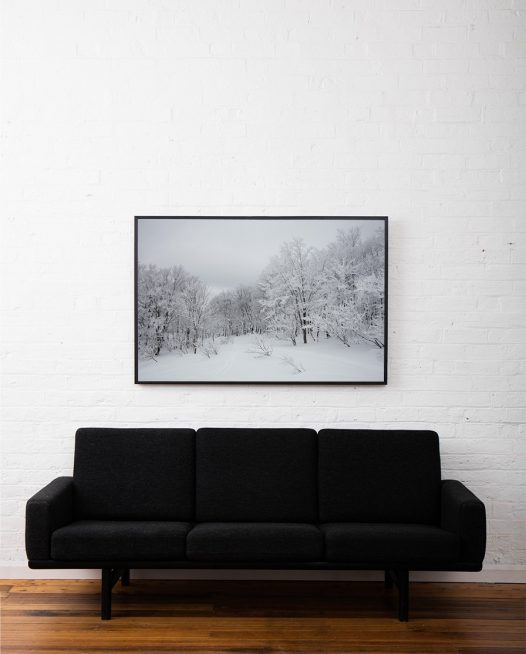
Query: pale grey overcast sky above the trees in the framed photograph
(225, 253)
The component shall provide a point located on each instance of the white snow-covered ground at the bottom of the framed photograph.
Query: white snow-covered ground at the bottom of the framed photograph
(238, 360)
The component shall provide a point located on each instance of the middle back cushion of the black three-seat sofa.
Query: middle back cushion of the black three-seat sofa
(256, 475)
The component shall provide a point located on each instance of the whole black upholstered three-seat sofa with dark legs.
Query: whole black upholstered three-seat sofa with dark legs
(256, 498)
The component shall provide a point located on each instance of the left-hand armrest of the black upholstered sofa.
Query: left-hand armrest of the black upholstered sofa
(47, 510)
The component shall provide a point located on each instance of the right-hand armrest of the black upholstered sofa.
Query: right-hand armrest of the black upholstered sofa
(465, 515)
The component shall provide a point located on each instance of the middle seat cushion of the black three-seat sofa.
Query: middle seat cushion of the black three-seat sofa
(254, 541)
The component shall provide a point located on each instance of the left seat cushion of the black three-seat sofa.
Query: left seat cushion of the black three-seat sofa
(109, 540)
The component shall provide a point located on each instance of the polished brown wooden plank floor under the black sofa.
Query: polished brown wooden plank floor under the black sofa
(261, 617)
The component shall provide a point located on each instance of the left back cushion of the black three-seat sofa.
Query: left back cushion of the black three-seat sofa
(134, 474)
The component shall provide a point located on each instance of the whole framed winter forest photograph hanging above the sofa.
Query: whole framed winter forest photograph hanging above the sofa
(292, 300)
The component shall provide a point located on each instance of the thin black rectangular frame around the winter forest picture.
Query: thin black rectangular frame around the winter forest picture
(139, 220)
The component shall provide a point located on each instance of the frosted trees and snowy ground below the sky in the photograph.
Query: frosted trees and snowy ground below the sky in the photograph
(312, 314)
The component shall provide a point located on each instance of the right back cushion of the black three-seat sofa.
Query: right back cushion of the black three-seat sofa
(379, 476)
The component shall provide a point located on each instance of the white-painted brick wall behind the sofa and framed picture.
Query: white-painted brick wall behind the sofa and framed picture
(413, 109)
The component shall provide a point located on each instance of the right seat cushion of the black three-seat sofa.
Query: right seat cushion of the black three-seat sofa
(391, 543)
